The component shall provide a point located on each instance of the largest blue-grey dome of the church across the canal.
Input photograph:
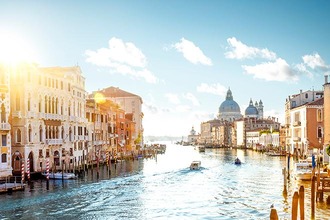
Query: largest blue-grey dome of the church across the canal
(229, 110)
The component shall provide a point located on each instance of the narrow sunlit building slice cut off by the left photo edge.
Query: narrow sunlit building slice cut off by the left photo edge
(5, 140)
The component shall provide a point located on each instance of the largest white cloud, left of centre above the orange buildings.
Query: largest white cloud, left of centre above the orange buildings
(123, 58)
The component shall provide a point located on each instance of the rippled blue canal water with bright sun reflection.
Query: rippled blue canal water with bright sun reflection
(165, 188)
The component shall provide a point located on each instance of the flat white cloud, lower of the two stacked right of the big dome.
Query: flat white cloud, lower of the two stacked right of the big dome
(278, 70)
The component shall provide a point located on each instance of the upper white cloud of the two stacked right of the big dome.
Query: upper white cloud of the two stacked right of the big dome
(238, 50)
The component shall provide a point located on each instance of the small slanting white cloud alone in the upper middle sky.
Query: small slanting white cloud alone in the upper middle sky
(192, 53)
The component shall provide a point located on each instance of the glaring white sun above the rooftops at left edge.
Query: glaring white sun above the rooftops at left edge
(14, 49)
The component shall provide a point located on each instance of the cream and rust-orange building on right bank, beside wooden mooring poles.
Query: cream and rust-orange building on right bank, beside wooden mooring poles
(304, 122)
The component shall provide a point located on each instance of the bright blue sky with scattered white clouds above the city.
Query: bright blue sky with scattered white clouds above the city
(180, 56)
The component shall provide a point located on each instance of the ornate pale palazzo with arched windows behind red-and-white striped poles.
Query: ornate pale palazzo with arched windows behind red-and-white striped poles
(48, 117)
